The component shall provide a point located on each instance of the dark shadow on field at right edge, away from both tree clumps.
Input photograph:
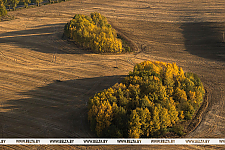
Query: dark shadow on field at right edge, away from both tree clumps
(205, 39)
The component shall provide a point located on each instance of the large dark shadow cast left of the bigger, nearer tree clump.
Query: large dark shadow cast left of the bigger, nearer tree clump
(56, 110)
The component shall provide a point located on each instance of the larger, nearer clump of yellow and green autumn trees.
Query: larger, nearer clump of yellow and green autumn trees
(149, 102)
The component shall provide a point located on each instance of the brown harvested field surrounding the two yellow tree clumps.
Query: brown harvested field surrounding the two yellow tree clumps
(34, 104)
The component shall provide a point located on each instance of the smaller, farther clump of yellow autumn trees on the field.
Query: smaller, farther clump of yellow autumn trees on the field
(94, 33)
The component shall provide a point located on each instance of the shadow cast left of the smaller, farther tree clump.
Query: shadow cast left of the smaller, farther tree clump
(45, 38)
